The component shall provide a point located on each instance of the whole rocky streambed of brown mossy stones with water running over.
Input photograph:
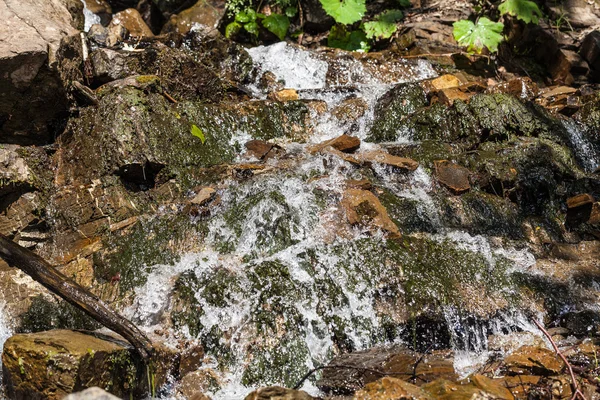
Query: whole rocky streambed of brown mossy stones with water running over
(369, 226)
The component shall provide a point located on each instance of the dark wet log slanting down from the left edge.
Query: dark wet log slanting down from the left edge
(42, 272)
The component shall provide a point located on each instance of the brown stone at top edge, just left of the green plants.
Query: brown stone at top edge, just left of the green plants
(204, 15)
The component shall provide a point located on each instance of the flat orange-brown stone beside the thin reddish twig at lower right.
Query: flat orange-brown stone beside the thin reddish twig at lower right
(533, 361)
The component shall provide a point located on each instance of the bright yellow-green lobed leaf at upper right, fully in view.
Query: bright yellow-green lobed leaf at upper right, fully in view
(485, 33)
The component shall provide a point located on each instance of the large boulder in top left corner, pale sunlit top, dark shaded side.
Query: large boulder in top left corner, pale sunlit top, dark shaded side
(33, 96)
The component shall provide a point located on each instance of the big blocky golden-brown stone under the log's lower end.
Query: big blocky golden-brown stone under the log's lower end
(52, 364)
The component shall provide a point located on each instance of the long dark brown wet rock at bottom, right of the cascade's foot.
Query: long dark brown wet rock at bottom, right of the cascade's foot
(396, 363)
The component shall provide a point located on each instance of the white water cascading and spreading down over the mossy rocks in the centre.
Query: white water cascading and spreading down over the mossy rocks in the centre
(281, 284)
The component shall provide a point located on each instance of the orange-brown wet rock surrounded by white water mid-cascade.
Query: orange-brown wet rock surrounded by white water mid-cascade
(364, 208)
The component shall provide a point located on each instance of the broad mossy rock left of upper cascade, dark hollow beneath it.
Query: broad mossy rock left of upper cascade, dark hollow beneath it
(132, 127)
